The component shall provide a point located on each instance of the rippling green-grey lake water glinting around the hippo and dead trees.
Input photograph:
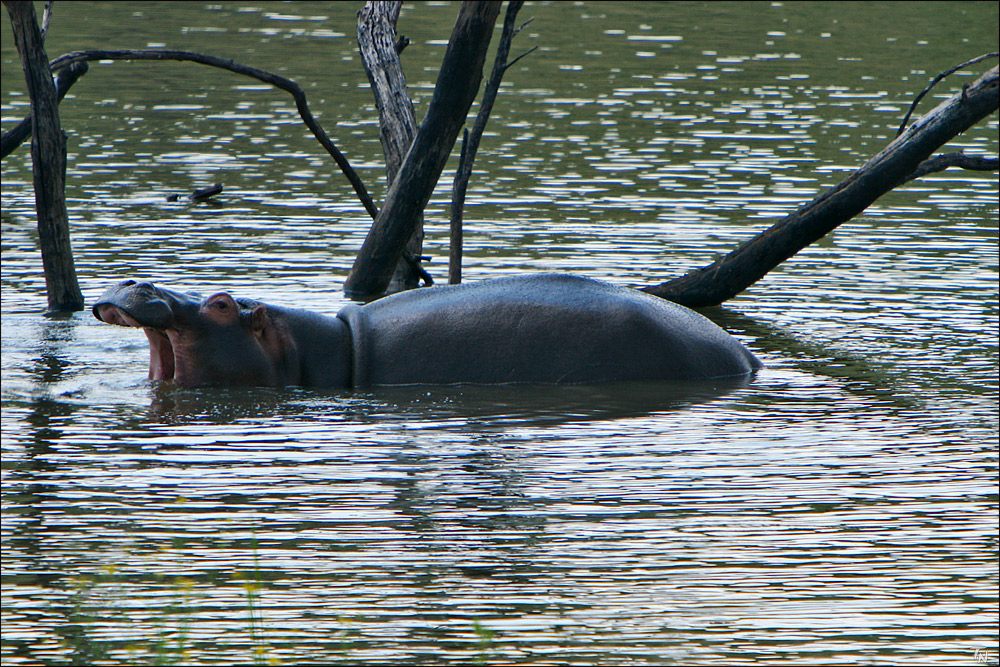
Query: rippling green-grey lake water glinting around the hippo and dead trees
(842, 508)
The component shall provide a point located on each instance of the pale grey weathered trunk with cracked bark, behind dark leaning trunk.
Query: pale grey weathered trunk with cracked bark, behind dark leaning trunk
(380, 51)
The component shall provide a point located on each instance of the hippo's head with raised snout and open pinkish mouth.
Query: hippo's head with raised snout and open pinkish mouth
(193, 341)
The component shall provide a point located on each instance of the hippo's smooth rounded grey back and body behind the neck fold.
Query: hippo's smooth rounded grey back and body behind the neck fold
(536, 328)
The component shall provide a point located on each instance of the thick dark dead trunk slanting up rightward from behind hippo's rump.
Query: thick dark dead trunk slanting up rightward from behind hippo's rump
(730, 275)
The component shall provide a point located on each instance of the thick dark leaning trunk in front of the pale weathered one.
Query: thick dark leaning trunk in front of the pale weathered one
(456, 88)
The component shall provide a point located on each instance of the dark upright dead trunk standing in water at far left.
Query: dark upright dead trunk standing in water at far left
(48, 158)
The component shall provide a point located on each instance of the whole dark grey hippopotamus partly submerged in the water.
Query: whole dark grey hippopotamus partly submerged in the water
(532, 328)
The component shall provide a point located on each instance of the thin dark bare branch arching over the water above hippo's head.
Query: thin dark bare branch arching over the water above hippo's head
(275, 80)
